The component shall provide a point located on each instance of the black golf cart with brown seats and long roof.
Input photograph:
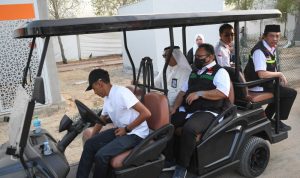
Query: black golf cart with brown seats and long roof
(242, 134)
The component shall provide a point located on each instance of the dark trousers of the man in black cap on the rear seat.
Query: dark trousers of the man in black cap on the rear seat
(287, 97)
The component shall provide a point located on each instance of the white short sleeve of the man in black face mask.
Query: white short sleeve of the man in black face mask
(222, 81)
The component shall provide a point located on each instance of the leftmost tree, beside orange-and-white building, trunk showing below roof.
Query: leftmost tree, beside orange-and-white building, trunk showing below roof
(62, 9)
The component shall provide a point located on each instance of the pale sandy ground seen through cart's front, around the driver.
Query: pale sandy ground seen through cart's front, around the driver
(73, 84)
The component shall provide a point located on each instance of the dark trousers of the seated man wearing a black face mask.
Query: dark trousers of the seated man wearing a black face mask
(181, 148)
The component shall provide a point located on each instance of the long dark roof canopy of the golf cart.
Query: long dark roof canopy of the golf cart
(43, 28)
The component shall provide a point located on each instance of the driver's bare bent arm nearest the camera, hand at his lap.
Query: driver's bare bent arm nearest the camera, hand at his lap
(144, 114)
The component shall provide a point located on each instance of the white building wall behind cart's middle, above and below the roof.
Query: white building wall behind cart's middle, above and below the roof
(152, 42)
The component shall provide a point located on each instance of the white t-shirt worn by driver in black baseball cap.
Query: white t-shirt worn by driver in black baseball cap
(118, 106)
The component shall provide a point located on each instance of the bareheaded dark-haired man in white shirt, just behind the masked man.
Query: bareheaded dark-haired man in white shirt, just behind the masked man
(224, 47)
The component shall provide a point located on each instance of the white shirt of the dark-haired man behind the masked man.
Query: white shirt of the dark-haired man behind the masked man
(222, 52)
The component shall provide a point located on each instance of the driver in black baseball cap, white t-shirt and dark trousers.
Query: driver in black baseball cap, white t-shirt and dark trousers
(128, 115)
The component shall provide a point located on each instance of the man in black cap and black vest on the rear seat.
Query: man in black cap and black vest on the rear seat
(262, 64)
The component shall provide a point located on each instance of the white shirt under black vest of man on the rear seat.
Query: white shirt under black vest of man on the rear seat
(260, 62)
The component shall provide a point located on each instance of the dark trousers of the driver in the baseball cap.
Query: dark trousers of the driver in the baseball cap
(100, 149)
